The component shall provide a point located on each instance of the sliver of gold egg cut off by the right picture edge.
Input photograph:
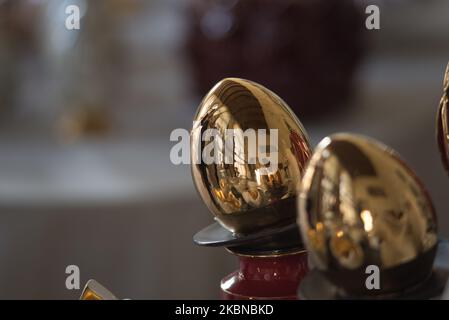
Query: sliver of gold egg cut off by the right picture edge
(443, 123)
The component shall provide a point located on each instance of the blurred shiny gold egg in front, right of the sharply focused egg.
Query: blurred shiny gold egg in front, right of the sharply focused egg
(360, 205)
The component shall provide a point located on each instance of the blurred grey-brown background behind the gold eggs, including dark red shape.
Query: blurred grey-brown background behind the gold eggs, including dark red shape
(85, 119)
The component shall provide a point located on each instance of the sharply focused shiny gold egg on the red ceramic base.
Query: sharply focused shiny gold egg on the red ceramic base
(235, 191)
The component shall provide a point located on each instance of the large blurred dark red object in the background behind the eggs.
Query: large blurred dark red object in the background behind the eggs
(305, 51)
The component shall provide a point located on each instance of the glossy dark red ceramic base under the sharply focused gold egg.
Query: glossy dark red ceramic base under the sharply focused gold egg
(266, 277)
